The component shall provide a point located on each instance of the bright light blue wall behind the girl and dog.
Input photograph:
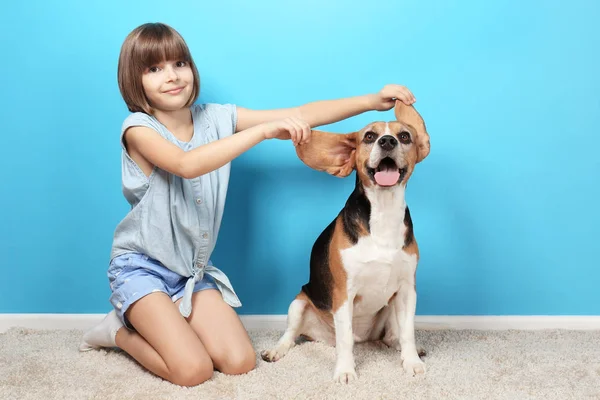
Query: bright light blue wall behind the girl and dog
(506, 207)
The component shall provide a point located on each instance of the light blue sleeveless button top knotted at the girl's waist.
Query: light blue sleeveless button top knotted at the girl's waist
(175, 220)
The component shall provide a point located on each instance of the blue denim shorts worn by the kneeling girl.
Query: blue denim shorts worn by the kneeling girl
(134, 275)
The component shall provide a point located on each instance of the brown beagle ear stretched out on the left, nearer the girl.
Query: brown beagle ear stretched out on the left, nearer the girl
(330, 152)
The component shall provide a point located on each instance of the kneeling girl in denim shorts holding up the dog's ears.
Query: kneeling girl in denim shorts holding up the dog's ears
(172, 308)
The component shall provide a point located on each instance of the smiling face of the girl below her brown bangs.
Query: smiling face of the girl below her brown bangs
(168, 85)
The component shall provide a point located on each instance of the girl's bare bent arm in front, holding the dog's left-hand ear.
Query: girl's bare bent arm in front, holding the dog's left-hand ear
(155, 150)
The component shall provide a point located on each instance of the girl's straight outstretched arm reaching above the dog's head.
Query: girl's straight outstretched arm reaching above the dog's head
(325, 112)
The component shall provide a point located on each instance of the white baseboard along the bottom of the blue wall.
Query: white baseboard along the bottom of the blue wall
(278, 322)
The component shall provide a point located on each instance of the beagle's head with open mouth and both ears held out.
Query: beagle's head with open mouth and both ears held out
(384, 154)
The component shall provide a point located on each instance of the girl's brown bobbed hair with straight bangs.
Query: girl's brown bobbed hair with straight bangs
(148, 45)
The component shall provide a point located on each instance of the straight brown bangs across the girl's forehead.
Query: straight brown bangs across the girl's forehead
(157, 44)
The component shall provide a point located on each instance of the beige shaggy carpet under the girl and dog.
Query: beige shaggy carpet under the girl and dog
(461, 365)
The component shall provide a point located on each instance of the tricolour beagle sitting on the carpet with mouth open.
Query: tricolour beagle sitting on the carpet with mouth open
(363, 265)
